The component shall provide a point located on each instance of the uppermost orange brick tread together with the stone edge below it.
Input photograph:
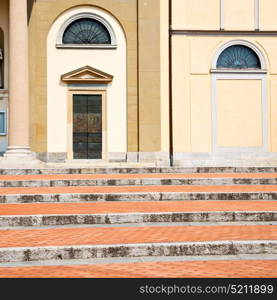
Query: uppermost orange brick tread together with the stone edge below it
(64, 180)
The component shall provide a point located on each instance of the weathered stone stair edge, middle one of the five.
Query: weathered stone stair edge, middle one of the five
(147, 196)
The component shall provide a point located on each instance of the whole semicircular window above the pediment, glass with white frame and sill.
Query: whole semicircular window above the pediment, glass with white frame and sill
(86, 30)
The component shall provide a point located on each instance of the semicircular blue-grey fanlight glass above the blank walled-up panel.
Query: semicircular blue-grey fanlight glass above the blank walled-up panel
(238, 57)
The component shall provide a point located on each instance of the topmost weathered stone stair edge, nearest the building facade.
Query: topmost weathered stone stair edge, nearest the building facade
(139, 170)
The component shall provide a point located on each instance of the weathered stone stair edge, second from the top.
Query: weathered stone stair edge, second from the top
(146, 181)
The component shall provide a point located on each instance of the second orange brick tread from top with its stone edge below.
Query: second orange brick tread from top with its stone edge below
(137, 193)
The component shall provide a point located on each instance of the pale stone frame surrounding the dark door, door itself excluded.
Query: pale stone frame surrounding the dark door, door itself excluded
(70, 95)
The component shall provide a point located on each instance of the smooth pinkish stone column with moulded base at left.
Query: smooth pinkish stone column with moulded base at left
(18, 83)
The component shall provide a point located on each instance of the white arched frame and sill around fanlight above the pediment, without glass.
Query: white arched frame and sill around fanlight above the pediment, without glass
(60, 44)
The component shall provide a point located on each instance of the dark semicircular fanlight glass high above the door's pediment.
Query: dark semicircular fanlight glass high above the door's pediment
(86, 31)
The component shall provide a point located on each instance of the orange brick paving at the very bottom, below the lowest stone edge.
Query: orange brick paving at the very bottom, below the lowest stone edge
(187, 269)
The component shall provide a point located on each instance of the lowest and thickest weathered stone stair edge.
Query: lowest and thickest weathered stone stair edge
(25, 254)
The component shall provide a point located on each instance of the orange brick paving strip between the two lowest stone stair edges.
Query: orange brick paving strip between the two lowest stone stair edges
(132, 235)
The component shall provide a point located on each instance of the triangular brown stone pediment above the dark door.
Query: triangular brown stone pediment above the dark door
(87, 74)
